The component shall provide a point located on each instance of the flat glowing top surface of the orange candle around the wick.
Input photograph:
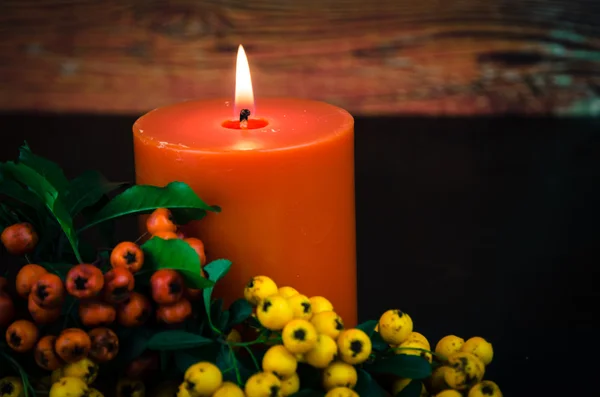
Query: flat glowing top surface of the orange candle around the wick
(198, 125)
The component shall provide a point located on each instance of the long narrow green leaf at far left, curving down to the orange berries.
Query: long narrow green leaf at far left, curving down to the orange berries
(49, 195)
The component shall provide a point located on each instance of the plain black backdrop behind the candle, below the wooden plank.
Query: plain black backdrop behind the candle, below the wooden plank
(474, 226)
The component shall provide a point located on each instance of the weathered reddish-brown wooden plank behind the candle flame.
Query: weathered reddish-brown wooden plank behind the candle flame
(431, 57)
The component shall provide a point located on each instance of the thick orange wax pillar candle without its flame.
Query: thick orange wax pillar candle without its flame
(285, 186)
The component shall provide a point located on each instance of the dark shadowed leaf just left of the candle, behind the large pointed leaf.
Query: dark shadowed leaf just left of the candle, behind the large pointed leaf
(86, 190)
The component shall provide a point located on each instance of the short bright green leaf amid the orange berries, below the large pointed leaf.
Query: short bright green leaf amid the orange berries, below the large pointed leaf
(175, 254)
